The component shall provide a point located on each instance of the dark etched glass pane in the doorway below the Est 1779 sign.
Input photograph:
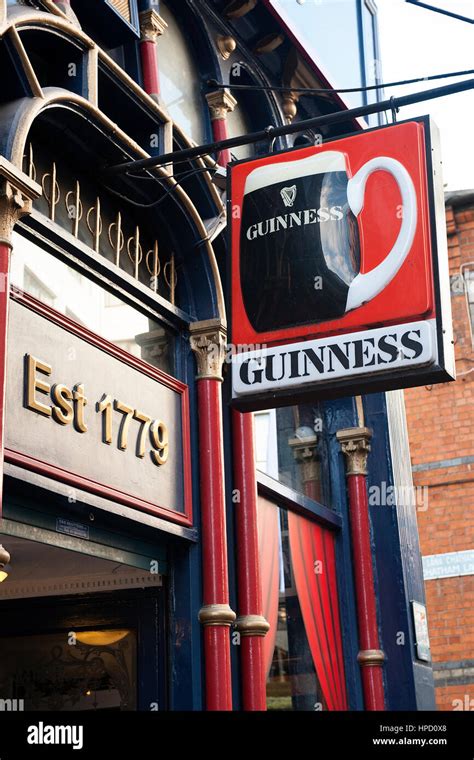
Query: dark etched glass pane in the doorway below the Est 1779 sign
(90, 670)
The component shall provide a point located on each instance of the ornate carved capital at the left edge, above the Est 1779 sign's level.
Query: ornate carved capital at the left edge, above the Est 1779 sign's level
(17, 193)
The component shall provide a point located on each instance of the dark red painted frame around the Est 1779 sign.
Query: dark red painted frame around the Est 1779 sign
(101, 489)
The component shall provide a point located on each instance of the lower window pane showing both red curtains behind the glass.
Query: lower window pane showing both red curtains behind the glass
(303, 649)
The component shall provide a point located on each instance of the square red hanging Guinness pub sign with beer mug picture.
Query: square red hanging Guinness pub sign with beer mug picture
(339, 270)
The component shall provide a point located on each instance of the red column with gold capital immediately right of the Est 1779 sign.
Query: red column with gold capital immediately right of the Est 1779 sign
(208, 344)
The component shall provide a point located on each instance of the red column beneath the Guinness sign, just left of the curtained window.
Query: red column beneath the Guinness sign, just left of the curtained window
(251, 624)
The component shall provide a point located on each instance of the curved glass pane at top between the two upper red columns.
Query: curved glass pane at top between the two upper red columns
(179, 79)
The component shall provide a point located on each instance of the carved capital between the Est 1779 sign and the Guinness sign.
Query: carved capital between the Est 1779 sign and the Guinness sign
(208, 341)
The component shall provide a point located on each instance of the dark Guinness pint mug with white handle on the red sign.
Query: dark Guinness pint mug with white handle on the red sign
(300, 249)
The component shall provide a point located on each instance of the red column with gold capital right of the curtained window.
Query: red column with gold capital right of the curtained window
(355, 445)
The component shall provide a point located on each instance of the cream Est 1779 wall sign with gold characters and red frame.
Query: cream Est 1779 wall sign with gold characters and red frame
(84, 412)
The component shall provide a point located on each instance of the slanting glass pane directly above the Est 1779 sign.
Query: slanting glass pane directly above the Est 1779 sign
(68, 291)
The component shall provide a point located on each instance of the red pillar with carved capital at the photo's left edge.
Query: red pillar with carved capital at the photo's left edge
(17, 191)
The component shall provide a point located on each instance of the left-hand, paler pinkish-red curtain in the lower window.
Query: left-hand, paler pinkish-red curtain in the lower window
(268, 547)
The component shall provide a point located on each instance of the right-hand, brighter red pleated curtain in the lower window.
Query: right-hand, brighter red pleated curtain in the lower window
(314, 570)
